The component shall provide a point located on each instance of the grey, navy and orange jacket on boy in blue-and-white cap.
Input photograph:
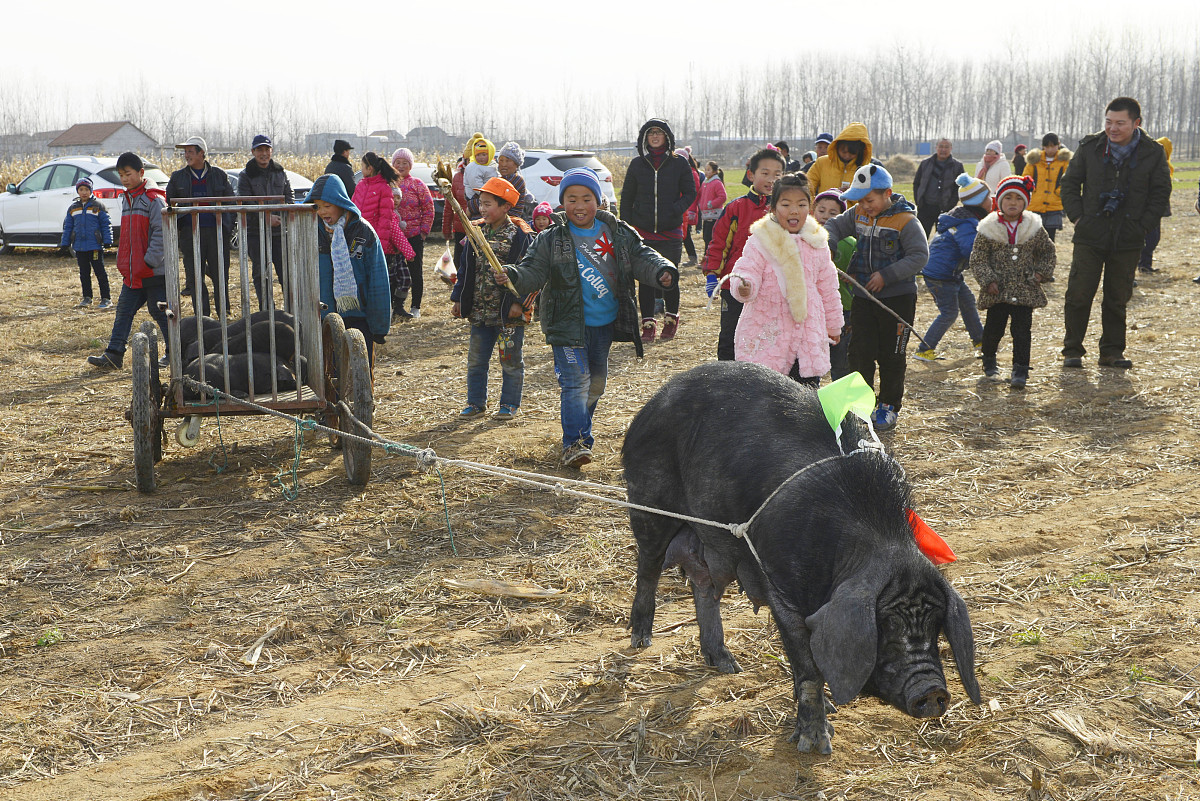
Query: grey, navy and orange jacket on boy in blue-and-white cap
(893, 245)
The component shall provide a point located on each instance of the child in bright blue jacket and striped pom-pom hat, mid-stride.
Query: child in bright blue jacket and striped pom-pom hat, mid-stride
(949, 255)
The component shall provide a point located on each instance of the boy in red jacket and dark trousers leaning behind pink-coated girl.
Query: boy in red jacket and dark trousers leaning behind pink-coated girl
(730, 236)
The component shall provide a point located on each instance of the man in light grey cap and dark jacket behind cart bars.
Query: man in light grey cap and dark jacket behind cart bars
(200, 179)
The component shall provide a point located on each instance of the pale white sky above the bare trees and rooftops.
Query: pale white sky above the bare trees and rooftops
(430, 46)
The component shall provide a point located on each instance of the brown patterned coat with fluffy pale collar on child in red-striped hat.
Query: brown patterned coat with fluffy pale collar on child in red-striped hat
(1012, 267)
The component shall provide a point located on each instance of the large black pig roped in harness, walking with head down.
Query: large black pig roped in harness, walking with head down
(857, 605)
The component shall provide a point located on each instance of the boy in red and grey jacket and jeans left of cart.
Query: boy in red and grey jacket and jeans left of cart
(139, 258)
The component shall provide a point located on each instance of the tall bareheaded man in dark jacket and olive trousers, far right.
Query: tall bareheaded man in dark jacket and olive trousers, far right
(1117, 188)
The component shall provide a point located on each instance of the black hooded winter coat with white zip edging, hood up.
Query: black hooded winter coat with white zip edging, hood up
(656, 201)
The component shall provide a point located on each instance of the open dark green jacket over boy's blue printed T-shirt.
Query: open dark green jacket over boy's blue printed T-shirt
(551, 266)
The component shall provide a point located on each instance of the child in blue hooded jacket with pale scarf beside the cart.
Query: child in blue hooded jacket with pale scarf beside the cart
(352, 270)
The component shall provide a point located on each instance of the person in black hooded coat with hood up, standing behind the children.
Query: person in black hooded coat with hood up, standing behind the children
(659, 189)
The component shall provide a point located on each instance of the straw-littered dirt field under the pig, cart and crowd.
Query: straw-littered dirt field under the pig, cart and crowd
(127, 621)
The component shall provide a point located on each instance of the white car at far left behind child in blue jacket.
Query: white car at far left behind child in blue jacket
(32, 213)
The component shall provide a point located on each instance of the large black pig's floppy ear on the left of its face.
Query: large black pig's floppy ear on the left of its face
(844, 639)
